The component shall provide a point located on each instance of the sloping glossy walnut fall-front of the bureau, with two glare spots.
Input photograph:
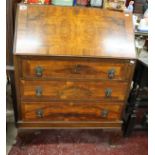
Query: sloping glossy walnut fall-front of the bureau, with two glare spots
(73, 31)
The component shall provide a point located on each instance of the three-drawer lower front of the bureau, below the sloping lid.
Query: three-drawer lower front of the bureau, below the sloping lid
(66, 97)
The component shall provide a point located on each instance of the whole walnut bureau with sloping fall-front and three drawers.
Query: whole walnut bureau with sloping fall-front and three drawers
(73, 66)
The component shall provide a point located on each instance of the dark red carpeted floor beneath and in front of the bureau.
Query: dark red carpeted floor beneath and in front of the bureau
(78, 142)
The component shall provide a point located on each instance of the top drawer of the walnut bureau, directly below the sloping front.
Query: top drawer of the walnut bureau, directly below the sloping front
(98, 69)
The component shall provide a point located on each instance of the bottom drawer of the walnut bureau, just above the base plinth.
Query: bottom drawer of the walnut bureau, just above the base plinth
(71, 111)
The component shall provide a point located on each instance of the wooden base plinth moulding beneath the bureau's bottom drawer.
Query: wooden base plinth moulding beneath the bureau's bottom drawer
(110, 125)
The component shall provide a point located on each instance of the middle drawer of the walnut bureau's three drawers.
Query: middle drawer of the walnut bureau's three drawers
(73, 90)
